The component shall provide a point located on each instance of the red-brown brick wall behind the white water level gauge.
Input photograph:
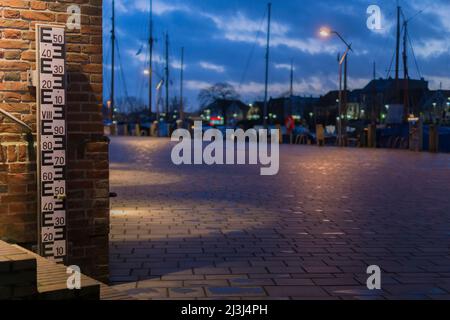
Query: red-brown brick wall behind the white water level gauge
(87, 185)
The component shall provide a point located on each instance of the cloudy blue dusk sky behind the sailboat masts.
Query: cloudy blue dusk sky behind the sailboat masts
(225, 42)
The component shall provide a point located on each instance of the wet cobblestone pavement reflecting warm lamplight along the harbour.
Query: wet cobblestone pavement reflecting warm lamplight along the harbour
(308, 233)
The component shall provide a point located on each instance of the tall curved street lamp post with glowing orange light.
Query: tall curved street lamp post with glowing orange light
(325, 32)
